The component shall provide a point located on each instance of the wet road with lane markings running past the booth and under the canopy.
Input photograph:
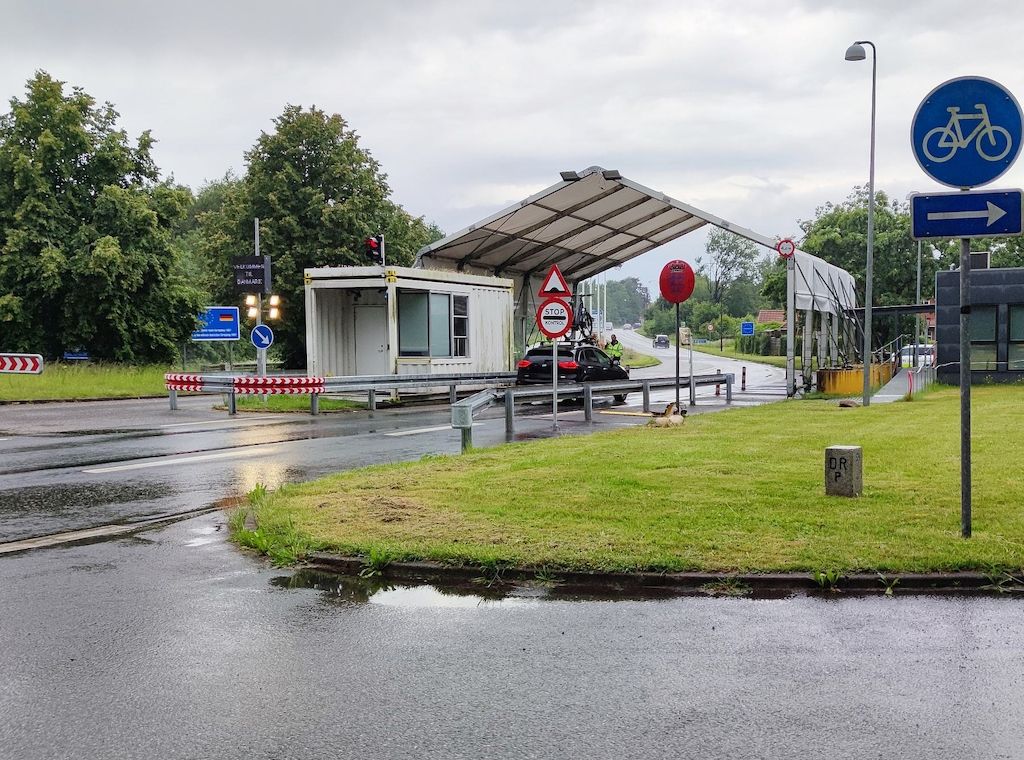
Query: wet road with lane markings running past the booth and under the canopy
(73, 467)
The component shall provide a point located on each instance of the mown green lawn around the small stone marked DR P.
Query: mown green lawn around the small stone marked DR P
(730, 492)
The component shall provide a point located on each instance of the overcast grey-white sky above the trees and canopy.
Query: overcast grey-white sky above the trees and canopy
(745, 109)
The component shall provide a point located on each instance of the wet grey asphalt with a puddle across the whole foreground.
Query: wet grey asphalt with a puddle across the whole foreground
(173, 645)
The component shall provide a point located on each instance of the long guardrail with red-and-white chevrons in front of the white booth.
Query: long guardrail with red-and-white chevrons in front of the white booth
(233, 386)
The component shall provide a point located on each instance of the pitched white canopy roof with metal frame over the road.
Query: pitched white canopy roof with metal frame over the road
(591, 222)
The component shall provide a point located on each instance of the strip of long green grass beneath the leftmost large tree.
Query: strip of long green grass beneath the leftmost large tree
(69, 383)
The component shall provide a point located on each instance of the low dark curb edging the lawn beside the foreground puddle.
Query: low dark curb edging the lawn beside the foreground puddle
(428, 572)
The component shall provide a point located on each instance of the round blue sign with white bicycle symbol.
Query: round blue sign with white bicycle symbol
(967, 132)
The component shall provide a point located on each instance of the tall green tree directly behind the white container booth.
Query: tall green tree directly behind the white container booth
(318, 196)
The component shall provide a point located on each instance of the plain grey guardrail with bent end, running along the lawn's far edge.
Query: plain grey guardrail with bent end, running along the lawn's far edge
(462, 412)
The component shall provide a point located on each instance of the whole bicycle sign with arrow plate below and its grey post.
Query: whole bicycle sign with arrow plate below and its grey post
(967, 133)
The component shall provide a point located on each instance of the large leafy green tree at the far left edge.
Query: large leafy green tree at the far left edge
(87, 256)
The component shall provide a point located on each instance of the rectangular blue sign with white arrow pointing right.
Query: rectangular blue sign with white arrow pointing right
(975, 215)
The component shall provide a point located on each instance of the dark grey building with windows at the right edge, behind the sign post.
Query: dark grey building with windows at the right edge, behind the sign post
(997, 325)
